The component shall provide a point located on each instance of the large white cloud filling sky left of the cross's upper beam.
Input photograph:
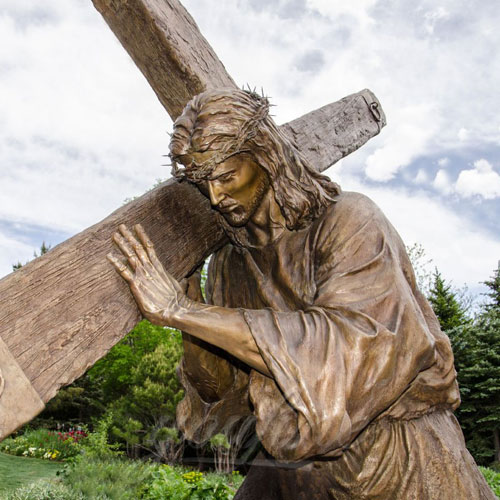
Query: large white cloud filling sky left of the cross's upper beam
(81, 129)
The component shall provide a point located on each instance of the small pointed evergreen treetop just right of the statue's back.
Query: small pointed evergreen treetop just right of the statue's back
(446, 305)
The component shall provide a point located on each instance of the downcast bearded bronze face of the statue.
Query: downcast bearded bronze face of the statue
(236, 188)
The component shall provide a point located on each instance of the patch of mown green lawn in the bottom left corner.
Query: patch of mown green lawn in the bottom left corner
(20, 471)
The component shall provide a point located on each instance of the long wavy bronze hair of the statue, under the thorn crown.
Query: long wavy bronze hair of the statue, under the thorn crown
(226, 122)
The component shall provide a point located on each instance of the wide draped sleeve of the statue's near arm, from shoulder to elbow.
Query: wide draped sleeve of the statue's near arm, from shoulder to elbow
(341, 362)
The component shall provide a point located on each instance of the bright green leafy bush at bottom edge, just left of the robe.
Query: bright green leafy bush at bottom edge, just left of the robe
(177, 483)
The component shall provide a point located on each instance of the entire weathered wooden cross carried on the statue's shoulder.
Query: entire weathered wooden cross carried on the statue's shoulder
(64, 311)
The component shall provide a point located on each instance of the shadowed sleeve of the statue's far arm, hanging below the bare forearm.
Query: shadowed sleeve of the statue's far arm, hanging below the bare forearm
(215, 385)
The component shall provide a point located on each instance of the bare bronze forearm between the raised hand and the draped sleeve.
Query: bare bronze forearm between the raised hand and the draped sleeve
(220, 326)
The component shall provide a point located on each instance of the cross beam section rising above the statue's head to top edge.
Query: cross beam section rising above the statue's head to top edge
(167, 46)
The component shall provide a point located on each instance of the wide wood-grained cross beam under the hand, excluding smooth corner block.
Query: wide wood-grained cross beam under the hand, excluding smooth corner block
(65, 310)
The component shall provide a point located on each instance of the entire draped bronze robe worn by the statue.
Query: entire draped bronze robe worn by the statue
(360, 402)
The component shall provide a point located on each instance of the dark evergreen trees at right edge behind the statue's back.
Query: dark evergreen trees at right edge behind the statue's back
(476, 348)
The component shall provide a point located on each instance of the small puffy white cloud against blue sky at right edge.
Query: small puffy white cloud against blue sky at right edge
(482, 181)
